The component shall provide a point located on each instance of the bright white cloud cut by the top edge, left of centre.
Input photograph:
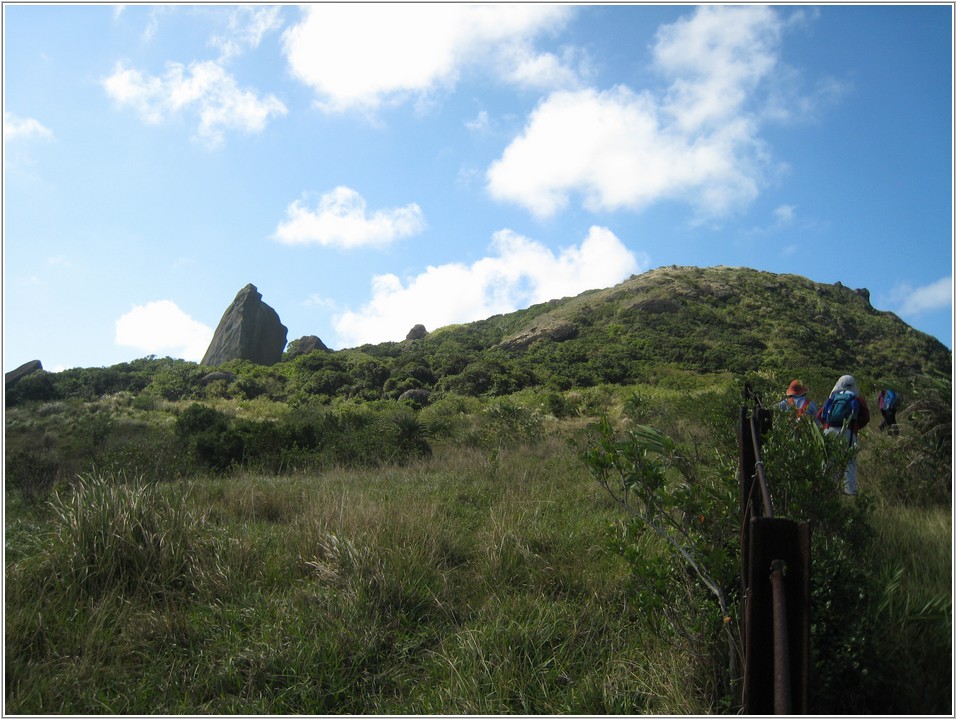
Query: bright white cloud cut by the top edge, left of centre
(355, 55)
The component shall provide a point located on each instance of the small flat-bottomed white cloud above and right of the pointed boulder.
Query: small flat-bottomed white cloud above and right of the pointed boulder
(341, 219)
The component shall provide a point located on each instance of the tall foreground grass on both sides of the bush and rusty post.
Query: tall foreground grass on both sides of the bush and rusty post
(474, 581)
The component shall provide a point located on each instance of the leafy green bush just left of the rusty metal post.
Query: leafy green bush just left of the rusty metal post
(680, 526)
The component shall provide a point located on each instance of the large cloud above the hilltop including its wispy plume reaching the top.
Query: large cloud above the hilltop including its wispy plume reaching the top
(696, 141)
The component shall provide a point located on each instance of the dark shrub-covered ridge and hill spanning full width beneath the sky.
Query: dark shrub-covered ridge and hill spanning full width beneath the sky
(701, 320)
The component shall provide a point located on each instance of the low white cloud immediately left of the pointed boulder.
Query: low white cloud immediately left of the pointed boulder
(160, 327)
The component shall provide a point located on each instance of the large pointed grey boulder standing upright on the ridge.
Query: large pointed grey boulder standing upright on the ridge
(250, 330)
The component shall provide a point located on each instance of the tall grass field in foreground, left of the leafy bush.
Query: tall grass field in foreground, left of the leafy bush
(468, 583)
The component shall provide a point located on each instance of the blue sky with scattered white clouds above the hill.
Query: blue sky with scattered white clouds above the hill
(371, 167)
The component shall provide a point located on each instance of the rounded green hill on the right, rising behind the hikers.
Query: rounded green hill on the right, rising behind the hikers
(703, 319)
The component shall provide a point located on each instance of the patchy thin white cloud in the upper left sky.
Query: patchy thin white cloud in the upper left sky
(203, 88)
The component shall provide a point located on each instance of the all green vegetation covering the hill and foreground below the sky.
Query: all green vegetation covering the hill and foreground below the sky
(297, 540)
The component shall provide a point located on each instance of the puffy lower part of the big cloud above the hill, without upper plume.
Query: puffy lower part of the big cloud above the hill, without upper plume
(612, 148)
